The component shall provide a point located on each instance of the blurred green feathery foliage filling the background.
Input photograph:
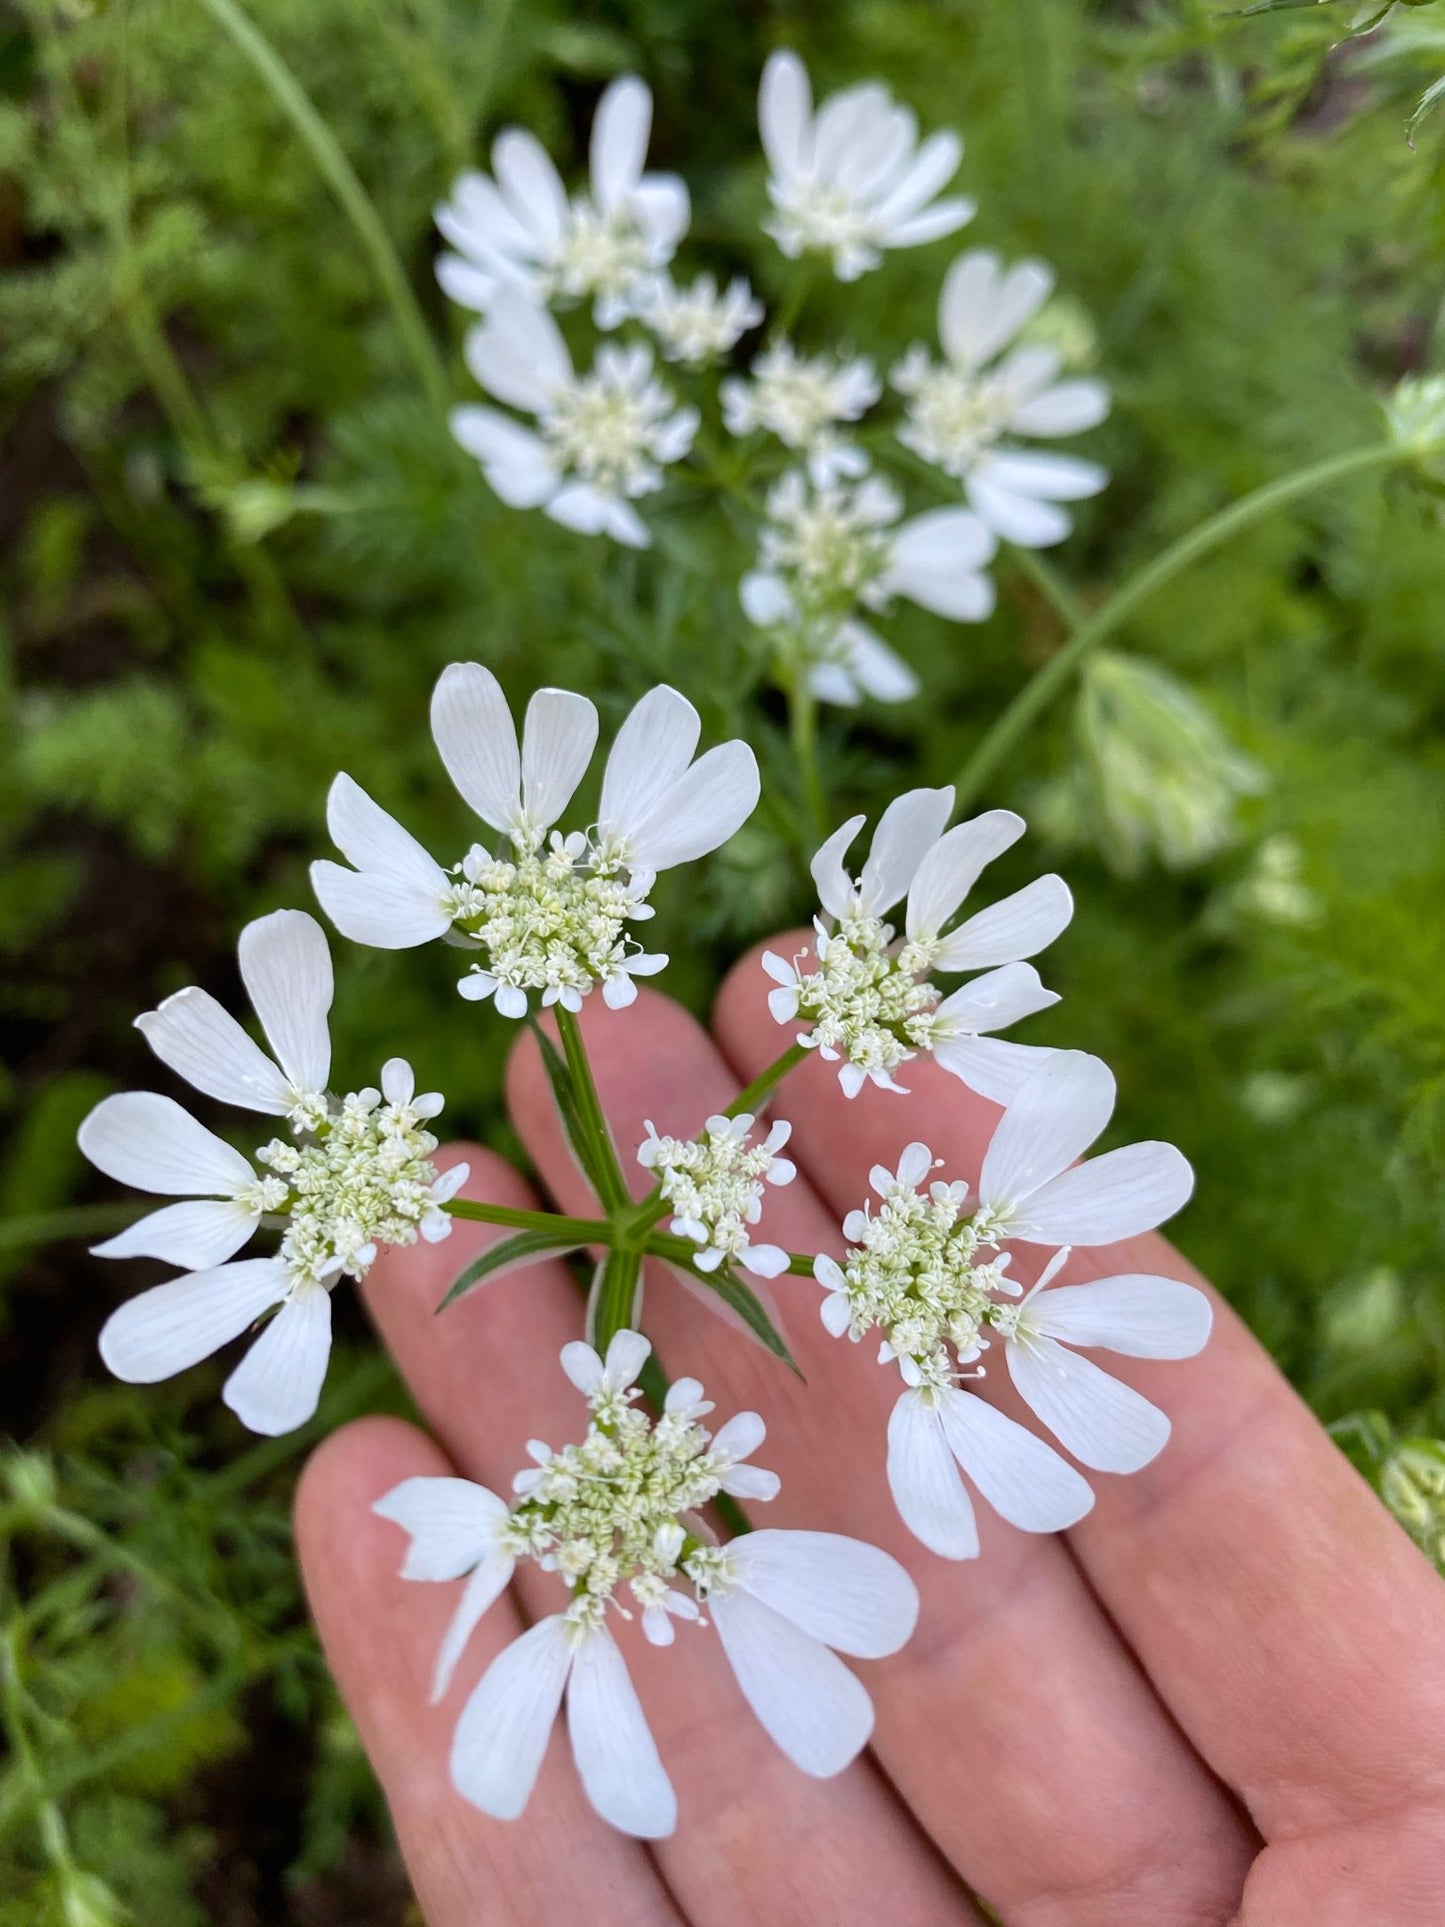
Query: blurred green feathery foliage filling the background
(238, 548)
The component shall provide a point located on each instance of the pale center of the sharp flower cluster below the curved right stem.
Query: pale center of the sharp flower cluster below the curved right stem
(862, 1001)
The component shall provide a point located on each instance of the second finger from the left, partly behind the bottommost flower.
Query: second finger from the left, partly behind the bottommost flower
(756, 1839)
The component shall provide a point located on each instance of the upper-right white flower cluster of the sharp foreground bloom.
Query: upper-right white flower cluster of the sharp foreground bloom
(868, 997)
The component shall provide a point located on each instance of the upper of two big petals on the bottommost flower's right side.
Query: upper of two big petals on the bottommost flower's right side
(839, 1591)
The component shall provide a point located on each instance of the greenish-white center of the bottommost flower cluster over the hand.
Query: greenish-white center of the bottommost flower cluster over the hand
(614, 1510)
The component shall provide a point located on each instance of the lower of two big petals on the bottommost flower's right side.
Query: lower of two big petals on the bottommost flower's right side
(806, 1699)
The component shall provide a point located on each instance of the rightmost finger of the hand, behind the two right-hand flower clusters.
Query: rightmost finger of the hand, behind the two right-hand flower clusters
(1286, 1620)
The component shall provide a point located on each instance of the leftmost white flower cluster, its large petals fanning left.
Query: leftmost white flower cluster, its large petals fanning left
(354, 1175)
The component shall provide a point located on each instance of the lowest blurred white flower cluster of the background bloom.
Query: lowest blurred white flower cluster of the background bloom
(829, 548)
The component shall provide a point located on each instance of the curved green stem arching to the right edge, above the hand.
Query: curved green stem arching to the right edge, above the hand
(1049, 681)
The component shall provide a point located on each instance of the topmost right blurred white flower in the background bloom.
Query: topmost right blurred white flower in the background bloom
(853, 180)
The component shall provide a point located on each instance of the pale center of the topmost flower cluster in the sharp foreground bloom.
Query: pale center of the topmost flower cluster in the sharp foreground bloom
(550, 918)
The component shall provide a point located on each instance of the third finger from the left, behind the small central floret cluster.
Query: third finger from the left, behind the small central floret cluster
(1016, 1728)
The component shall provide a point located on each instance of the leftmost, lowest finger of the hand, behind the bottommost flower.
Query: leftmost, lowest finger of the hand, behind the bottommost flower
(381, 1635)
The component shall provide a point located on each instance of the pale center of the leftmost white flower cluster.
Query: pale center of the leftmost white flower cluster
(361, 1178)
